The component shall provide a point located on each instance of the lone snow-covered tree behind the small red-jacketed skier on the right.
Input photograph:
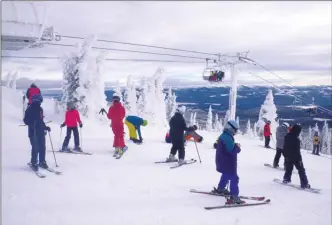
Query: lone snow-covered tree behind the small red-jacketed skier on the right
(268, 112)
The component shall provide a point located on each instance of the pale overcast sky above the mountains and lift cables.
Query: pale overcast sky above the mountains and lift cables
(291, 38)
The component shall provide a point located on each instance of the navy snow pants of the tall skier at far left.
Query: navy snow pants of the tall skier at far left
(38, 148)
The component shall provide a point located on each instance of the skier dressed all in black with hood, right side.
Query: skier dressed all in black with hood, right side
(292, 153)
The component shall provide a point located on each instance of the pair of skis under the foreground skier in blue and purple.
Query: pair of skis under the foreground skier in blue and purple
(261, 200)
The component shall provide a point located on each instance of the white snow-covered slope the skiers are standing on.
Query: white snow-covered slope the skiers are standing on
(100, 190)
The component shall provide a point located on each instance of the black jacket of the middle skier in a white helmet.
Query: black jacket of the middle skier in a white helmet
(178, 127)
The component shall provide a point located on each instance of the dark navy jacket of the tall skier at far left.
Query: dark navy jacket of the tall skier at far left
(34, 118)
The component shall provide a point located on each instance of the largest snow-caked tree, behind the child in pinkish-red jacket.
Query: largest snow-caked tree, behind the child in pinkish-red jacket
(77, 77)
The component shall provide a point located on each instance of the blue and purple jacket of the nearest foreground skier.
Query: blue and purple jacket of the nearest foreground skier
(226, 154)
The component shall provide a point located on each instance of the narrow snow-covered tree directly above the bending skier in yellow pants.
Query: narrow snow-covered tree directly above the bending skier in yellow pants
(130, 98)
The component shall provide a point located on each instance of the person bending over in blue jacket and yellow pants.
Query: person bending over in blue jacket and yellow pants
(134, 124)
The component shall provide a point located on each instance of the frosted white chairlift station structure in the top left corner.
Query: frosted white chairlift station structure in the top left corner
(22, 26)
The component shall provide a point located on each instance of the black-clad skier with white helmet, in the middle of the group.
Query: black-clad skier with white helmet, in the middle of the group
(177, 127)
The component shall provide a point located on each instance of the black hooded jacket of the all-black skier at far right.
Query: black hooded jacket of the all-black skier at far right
(292, 145)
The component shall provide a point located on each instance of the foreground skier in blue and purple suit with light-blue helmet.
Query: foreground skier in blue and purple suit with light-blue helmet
(226, 163)
